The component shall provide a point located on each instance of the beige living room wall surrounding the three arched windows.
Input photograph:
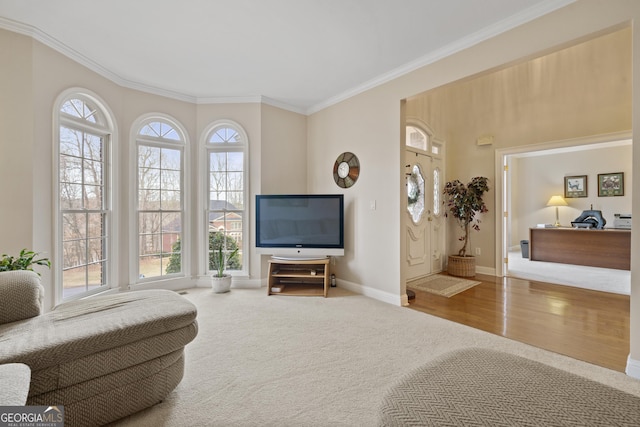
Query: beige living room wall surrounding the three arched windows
(31, 83)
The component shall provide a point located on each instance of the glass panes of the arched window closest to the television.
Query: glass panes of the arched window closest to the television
(226, 145)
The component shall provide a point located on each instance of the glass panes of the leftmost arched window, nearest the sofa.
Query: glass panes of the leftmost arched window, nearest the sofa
(84, 214)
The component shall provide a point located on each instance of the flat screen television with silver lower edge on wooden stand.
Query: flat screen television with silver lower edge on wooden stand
(300, 226)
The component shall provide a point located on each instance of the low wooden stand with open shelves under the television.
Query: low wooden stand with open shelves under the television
(299, 277)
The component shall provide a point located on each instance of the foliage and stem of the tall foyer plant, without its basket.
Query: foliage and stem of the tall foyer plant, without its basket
(464, 202)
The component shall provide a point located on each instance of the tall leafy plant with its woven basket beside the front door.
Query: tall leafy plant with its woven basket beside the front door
(464, 203)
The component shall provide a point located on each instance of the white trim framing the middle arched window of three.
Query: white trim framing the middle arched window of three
(172, 281)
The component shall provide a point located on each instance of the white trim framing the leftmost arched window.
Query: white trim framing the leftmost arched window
(112, 185)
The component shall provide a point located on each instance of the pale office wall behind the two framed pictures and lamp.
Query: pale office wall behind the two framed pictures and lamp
(541, 176)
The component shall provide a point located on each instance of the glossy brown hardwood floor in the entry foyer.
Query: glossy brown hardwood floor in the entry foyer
(584, 324)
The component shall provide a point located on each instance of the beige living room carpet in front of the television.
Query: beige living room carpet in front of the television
(289, 361)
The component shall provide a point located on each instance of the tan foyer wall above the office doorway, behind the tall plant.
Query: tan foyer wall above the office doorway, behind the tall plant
(578, 91)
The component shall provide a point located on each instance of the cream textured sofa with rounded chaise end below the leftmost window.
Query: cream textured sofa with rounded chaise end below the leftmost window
(103, 357)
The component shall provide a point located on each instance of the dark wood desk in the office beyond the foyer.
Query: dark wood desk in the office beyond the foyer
(607, 248)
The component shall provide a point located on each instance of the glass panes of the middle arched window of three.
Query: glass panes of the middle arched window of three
(160, 201)
